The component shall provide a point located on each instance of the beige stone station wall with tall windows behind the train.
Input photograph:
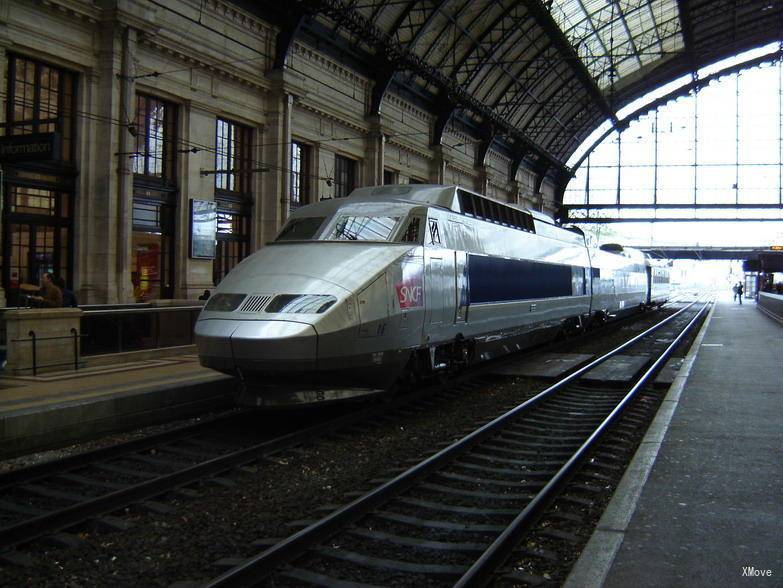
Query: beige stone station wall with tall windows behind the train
(213, 60)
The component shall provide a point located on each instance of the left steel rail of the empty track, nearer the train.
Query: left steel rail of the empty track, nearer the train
(262, 565)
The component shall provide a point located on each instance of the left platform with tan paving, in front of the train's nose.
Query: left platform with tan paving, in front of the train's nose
(54, 409)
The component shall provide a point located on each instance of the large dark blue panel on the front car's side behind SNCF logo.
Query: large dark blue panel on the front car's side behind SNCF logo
(494, 279)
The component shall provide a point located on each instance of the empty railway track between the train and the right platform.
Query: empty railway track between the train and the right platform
(456, 517)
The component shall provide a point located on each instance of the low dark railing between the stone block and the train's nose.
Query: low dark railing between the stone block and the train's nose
(121, 329)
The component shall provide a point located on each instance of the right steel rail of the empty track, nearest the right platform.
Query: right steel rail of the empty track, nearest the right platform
(481, 572)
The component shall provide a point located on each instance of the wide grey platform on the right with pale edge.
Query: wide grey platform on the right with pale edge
(702, 501)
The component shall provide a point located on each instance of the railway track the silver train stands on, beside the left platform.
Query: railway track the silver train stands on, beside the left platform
(52, 500)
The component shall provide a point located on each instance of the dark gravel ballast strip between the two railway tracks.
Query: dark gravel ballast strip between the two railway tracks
(222, 522)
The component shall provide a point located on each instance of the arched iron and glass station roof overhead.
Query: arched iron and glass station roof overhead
(540, 75)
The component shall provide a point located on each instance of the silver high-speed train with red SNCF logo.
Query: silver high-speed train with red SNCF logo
(403, 281)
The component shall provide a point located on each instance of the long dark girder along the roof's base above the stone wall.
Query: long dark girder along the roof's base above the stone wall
(396, 52)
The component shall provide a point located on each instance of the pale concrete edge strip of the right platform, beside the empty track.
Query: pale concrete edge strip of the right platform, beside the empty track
(595, 561)
